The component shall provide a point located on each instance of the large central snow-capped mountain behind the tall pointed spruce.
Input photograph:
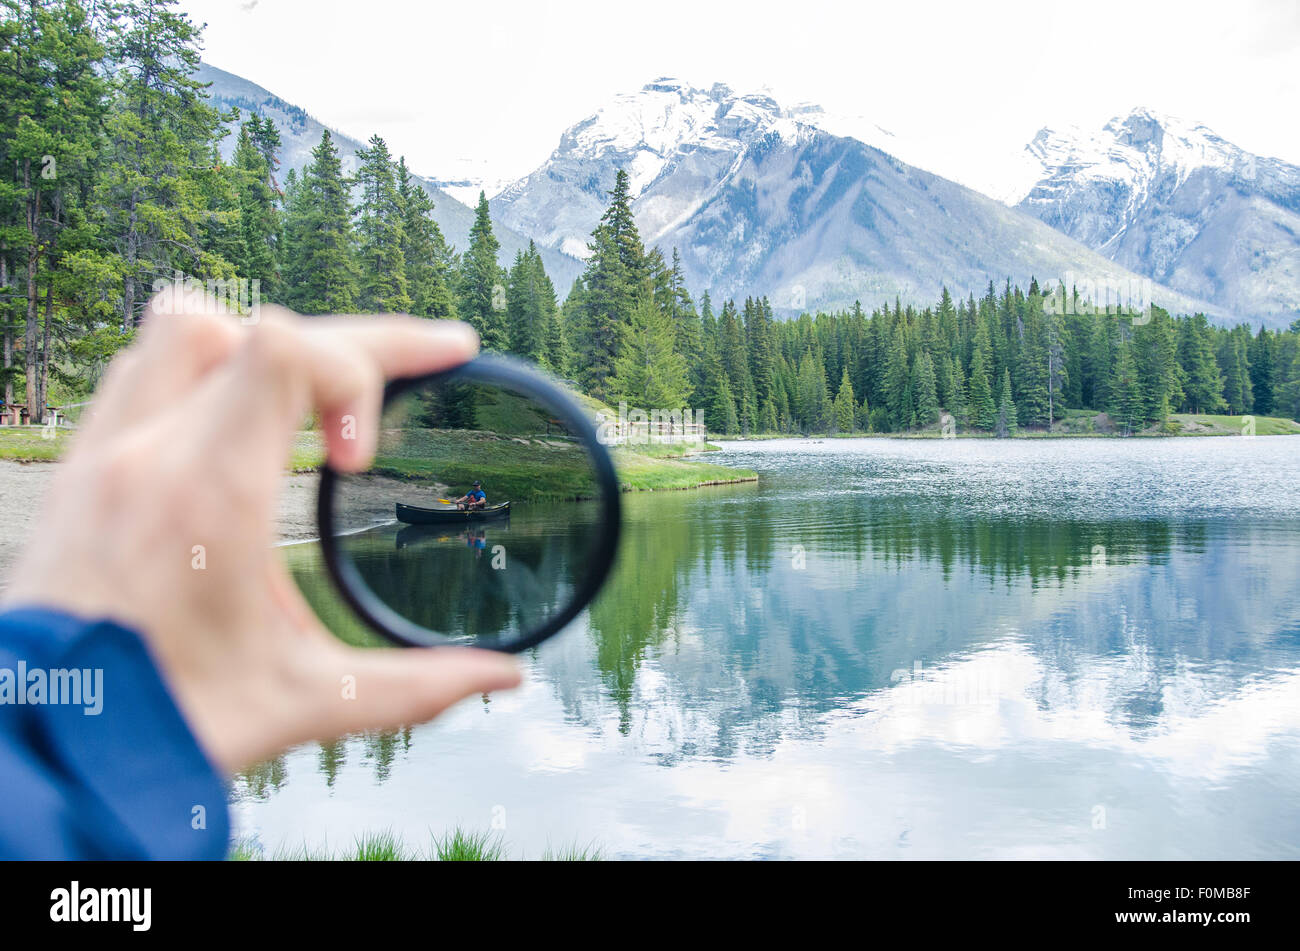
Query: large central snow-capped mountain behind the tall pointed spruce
(762, 199)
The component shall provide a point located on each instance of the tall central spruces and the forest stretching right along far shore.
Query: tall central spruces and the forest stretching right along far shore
(996, 363)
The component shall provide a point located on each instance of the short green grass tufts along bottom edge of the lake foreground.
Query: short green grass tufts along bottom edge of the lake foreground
(457, 845)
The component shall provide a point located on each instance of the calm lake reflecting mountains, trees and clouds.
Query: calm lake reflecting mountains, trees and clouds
(885, 649)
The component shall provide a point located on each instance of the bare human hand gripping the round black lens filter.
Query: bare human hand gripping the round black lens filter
(187, 448)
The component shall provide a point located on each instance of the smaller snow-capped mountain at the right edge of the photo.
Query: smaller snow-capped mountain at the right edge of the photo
(1176, 202)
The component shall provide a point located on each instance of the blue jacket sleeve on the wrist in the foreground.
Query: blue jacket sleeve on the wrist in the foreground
(96, 759)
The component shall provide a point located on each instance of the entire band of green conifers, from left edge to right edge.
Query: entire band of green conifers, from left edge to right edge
(115, 181)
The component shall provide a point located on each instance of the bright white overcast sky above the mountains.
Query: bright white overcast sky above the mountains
(486, 89)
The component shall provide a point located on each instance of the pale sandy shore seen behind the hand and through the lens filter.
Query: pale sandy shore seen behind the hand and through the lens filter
(367, 501)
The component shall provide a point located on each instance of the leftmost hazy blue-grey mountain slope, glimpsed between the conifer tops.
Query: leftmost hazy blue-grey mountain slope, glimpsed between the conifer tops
(300, 134)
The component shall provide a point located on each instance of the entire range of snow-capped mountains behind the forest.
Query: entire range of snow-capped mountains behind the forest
(820, 211)
